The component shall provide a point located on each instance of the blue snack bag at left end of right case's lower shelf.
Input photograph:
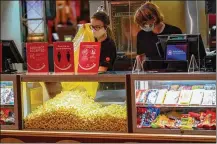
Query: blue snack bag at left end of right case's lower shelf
(149, 116)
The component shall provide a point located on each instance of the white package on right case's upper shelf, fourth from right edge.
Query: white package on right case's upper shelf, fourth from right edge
(172, 97)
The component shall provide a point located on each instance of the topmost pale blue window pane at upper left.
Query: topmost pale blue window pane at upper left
(34, 9)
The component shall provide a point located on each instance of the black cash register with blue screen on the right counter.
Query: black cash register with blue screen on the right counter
(177, 50)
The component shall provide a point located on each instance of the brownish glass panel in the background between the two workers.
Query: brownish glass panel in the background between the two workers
(123, 26)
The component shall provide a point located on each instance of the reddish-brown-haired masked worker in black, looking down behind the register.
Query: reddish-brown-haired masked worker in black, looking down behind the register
(150, 20)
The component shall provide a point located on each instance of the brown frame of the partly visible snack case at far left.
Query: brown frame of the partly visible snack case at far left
(17, 101)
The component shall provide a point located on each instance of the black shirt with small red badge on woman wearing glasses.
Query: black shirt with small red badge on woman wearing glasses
(107, 53)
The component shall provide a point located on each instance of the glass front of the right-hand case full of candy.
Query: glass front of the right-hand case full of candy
(186, 105)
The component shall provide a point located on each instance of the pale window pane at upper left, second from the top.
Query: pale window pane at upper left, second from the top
(35, 26)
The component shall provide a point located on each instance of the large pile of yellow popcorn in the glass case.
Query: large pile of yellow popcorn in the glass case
(75, 110)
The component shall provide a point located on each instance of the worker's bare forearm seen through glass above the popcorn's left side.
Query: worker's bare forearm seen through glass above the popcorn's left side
(53, 88)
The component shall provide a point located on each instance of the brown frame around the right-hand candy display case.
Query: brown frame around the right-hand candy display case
(170, 77)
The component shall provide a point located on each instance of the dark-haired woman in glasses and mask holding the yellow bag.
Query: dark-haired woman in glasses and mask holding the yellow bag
(102, 33)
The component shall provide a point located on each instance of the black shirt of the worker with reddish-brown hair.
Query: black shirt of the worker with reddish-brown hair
(146, 41)
